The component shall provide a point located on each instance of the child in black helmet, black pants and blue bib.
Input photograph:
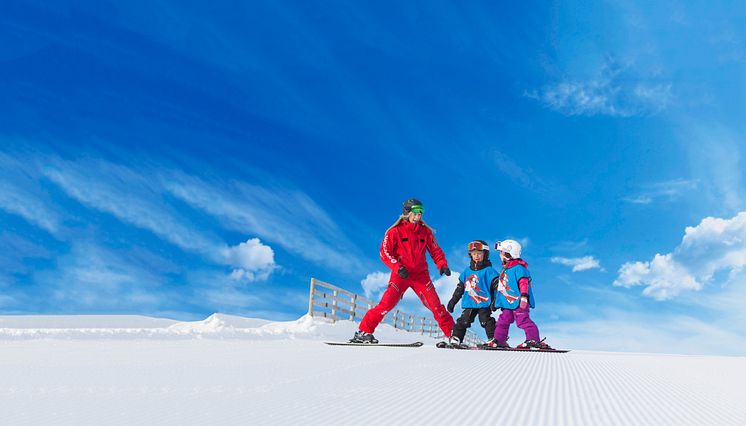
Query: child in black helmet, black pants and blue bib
(476, 281)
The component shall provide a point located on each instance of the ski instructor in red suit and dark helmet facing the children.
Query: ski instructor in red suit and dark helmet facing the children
(403, 251)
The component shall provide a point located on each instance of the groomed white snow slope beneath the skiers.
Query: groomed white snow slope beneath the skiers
(229, 370)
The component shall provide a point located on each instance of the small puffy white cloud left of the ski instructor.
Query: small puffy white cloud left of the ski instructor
(253, 260)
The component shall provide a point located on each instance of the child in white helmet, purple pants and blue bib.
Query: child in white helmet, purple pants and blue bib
(514, 294)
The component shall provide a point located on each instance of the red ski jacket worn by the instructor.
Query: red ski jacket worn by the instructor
(405, 244)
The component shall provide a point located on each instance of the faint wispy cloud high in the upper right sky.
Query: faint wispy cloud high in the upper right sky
(614, 92)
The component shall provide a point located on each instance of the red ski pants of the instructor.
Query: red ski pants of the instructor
(423, 287)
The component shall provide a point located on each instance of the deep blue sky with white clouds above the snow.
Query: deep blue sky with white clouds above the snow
(175, 159)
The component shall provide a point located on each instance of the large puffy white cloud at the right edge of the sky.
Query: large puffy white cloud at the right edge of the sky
(712, 246)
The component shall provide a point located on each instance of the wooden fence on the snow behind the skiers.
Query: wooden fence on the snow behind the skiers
(335, 303)
